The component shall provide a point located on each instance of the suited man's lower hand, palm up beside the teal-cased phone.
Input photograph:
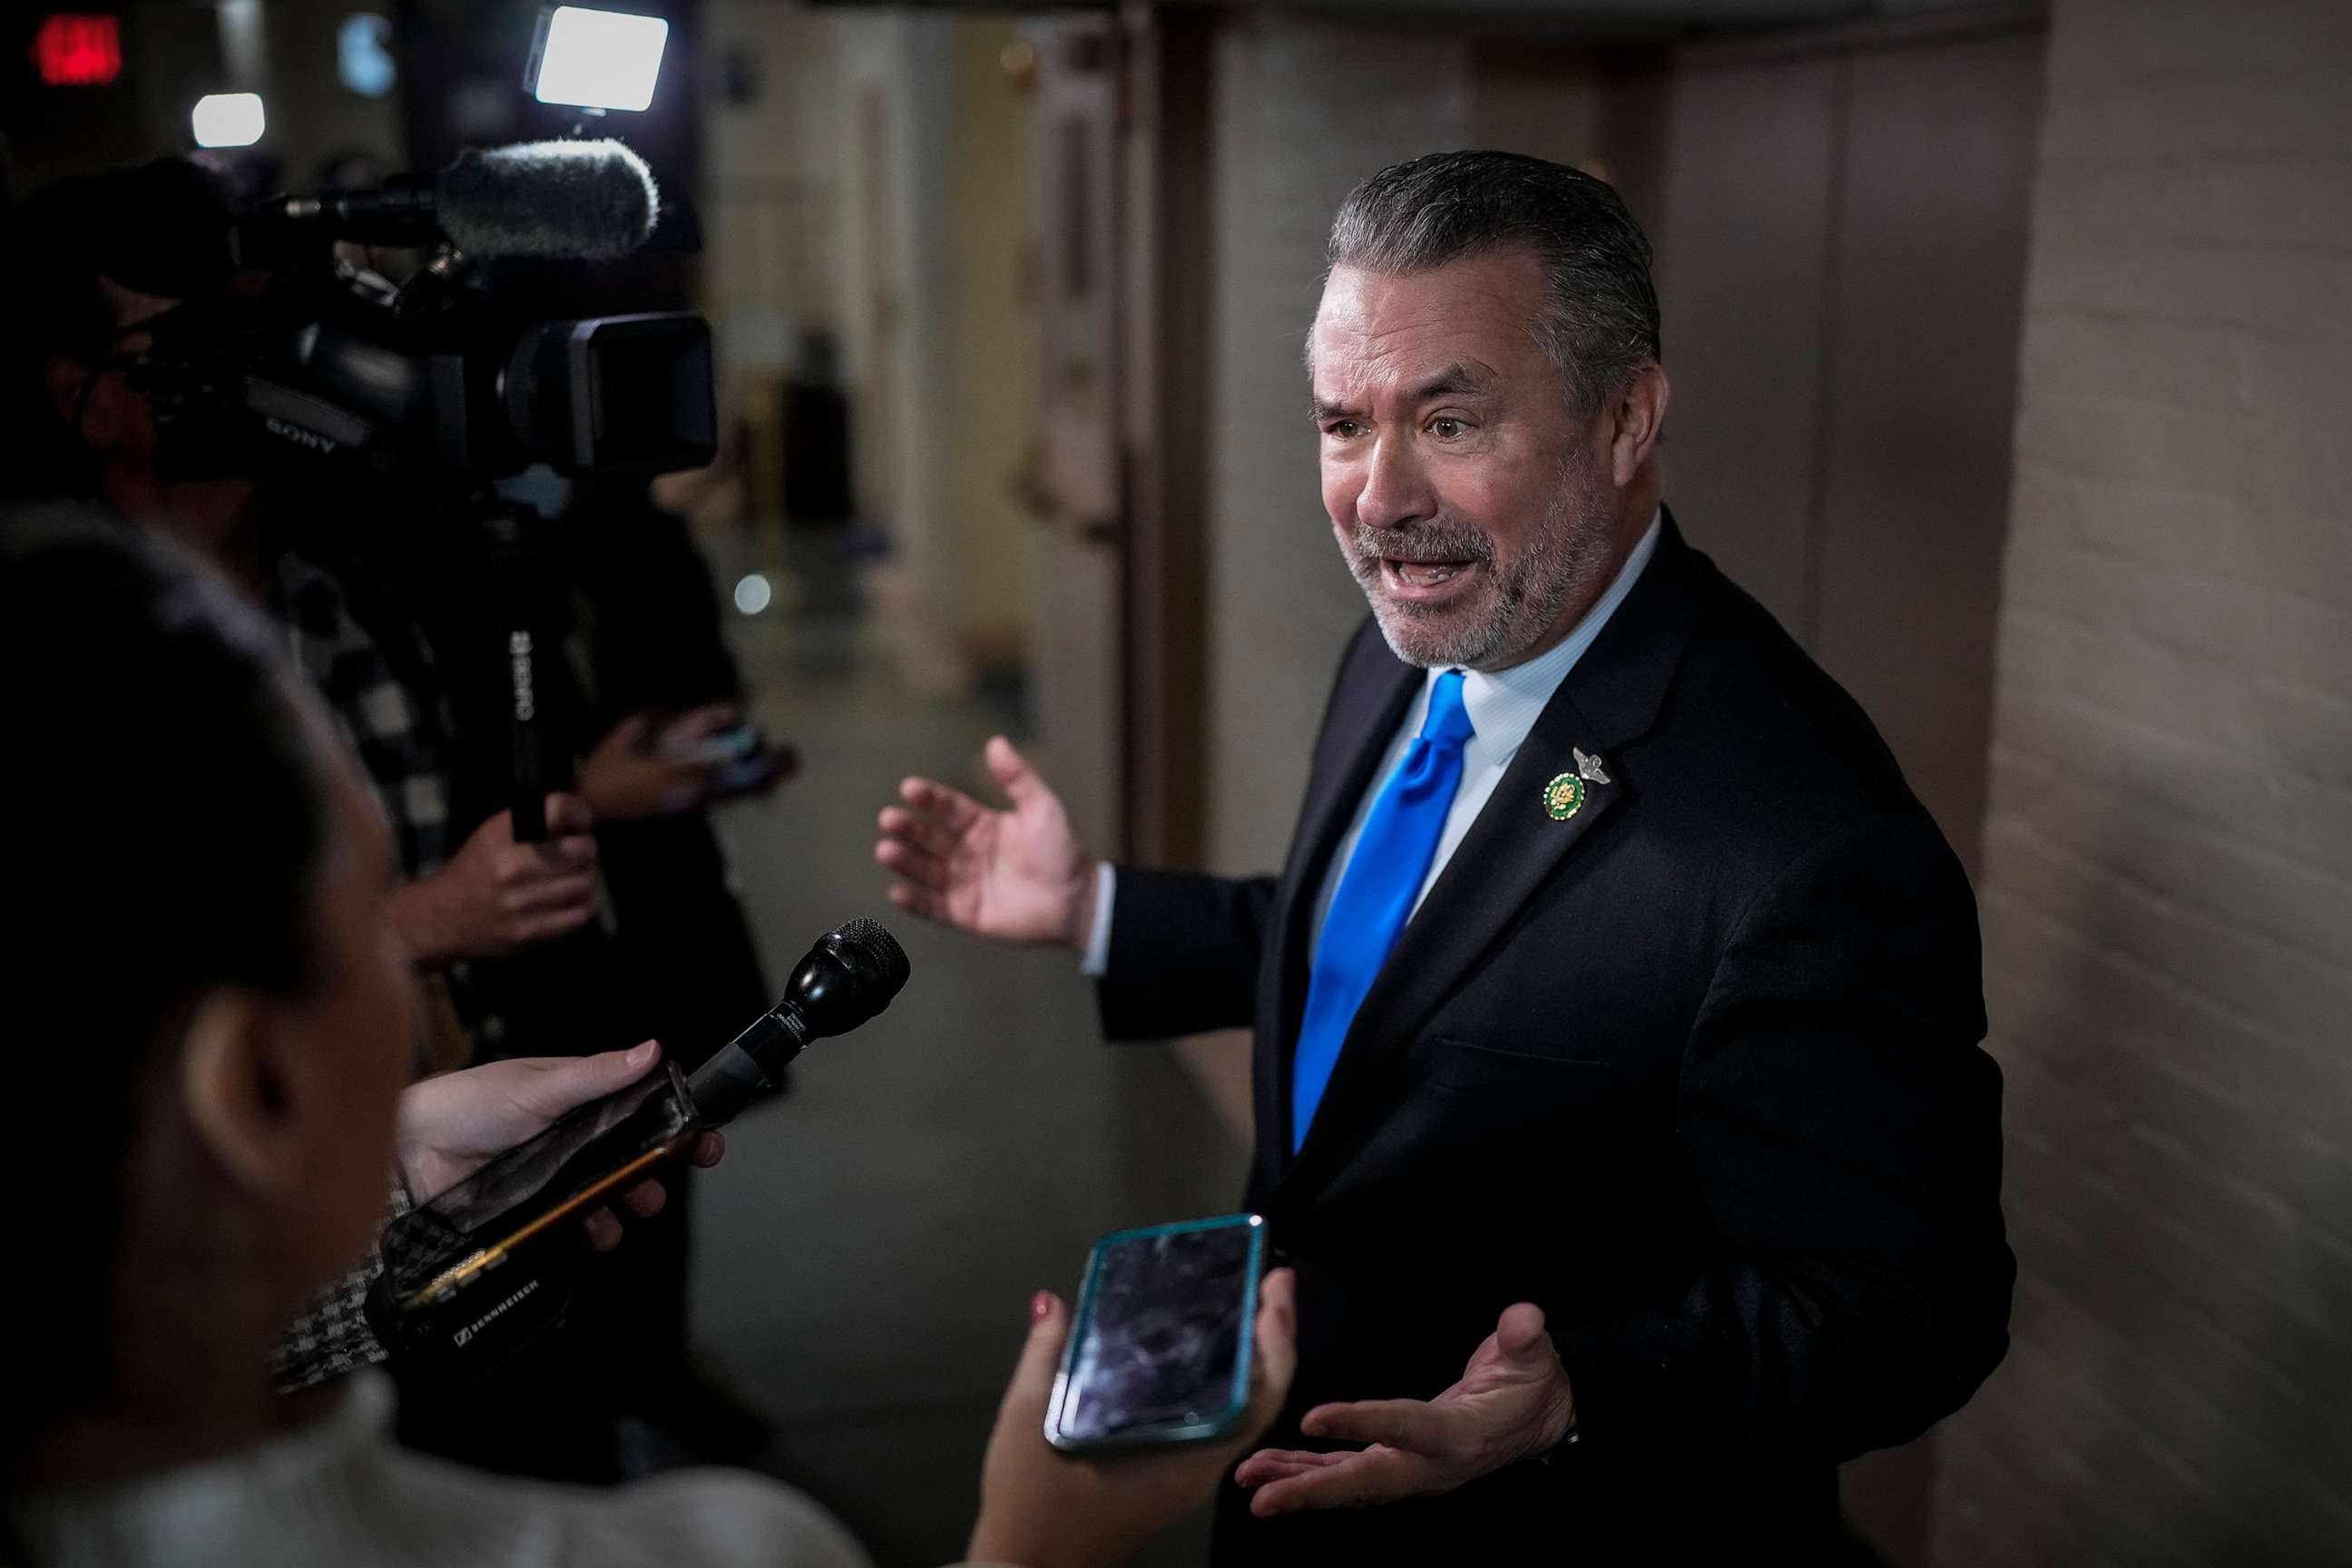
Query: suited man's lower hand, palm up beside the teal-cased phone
(1511, 1405)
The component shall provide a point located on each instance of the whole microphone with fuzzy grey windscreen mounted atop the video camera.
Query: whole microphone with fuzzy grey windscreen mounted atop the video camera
(554, 201)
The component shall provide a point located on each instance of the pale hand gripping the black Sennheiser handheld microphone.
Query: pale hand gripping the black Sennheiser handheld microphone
(453, 1125)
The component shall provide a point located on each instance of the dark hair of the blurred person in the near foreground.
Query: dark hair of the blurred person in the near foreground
(163, 831)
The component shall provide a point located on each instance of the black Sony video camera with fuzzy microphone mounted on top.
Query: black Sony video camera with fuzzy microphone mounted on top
(307, 359)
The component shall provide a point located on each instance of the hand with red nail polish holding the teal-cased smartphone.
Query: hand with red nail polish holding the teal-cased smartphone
(1050, 1510)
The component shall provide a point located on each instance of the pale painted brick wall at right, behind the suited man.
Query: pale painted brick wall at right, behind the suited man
(2170, 836)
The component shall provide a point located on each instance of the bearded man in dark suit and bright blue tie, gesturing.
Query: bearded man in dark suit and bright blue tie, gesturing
(1617, 1010)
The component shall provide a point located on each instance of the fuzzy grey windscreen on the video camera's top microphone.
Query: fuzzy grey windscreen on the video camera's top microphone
(556, 201)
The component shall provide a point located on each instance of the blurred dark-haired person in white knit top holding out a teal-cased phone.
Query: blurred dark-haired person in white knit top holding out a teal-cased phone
(236, 1106)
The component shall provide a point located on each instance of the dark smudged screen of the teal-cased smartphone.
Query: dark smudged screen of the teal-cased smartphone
(1163, 1332)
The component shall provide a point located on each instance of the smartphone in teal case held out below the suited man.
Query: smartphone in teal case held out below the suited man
(1163, 1339)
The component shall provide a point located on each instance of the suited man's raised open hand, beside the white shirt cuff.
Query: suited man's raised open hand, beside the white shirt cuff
(1013, 876)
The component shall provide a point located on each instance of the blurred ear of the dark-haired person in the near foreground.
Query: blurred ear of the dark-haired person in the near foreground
(241, 1092)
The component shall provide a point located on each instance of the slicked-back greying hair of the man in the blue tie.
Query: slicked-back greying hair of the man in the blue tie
(1601, 323)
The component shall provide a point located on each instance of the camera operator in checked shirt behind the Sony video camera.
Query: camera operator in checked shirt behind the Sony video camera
(91, 264)
